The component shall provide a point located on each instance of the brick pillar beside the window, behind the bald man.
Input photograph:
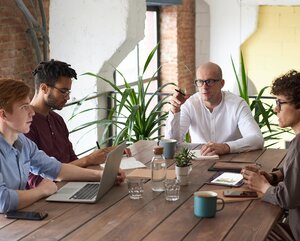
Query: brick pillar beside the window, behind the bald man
(178, 45)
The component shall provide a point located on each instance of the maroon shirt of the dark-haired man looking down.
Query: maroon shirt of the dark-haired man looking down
(51, 135)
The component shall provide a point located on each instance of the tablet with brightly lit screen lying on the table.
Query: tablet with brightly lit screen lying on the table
(227, 179)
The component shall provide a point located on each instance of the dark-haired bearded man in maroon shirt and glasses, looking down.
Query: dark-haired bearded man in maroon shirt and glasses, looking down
(48, 129)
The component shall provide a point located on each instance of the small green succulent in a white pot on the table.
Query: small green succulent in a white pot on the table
(183, 165)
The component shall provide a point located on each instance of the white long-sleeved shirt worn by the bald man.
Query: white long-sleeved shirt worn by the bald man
(230, 122)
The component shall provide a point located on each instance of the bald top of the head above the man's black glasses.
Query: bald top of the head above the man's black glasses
(209, 70)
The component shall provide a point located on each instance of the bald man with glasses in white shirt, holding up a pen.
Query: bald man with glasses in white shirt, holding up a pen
(218, 119)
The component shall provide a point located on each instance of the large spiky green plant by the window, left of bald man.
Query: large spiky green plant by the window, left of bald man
(135, 116)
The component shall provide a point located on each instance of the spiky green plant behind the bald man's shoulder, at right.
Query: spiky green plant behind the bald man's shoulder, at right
(262, 111)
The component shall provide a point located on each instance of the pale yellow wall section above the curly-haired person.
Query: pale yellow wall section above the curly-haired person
(275, 47)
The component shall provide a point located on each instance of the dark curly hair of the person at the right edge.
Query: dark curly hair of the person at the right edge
(289, 86)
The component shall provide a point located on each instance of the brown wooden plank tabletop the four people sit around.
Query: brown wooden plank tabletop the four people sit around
(116, 217)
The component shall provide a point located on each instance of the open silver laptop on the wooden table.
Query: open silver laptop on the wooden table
(91, 192)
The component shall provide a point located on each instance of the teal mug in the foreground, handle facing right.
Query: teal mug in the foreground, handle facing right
(205, 204)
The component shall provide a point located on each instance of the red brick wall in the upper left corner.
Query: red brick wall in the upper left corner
(17, 58)
